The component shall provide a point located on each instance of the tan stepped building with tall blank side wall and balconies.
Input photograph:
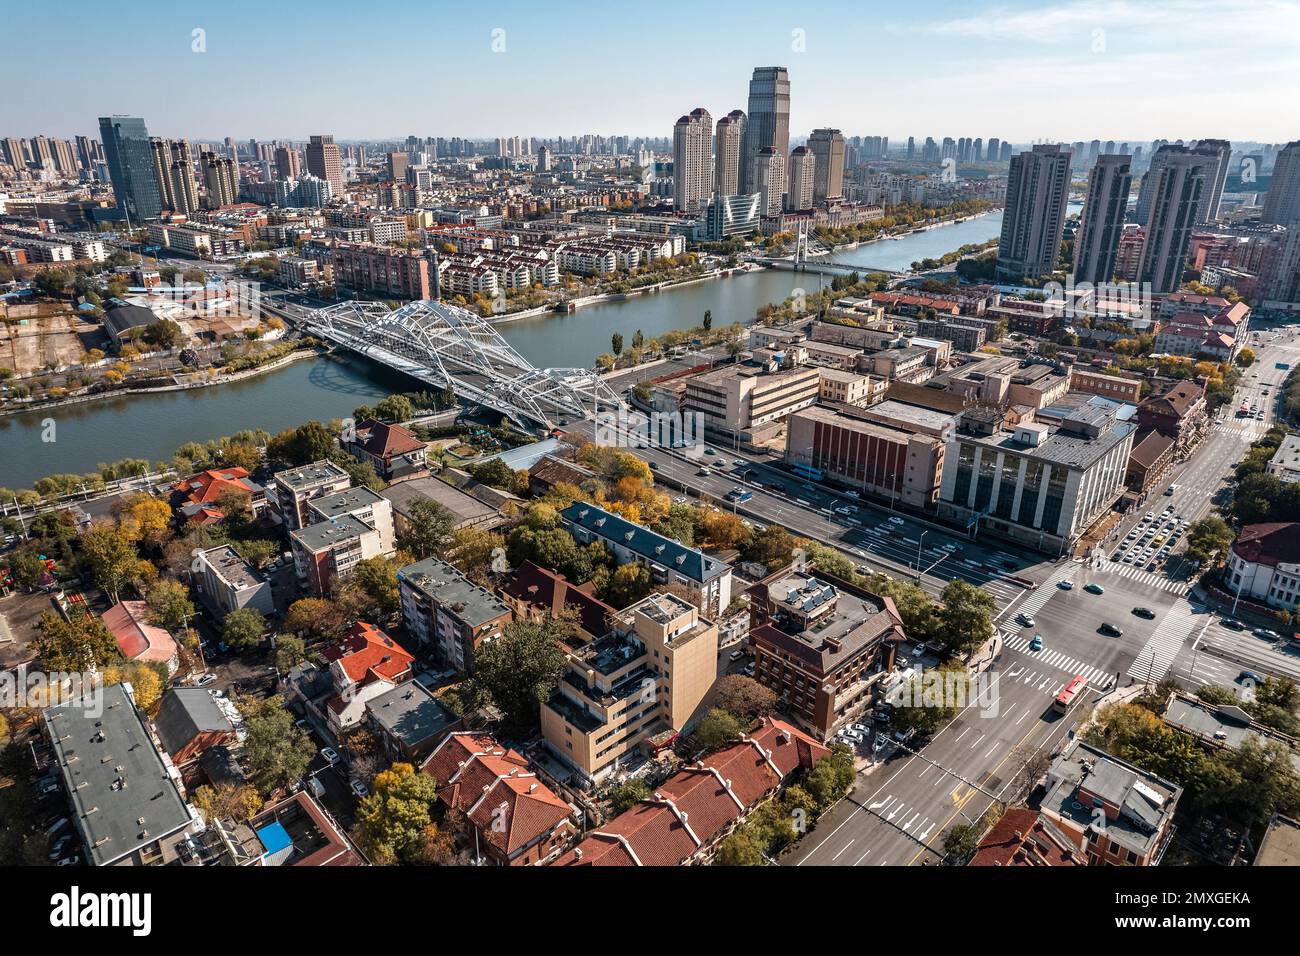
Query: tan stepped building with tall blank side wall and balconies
(645, 678)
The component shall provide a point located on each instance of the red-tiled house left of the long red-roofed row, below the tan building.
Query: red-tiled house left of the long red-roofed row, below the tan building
(519, 820)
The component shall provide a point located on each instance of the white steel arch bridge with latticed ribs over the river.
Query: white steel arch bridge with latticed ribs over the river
(453, 348)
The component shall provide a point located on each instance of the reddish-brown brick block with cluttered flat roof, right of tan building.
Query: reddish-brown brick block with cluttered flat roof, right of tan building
(821, 647)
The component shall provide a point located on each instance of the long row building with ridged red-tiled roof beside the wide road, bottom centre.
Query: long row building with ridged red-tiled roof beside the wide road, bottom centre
(686, 819)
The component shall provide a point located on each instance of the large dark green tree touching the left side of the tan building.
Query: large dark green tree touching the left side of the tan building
(522, 669)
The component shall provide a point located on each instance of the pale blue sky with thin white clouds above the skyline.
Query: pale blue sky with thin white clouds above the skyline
(1026, 72)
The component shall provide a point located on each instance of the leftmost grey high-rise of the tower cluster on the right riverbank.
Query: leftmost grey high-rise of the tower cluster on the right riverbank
(1038, 187)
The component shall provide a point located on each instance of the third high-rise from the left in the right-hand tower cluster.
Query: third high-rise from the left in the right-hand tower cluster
(1177, 200)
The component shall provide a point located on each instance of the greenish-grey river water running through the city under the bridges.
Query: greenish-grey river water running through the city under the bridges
(154, 426)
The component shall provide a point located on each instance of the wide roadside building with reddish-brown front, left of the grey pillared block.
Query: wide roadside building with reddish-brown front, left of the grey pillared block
(900, 465)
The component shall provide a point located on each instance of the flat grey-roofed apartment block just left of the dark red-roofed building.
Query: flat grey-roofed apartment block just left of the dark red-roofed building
(448, 613)
